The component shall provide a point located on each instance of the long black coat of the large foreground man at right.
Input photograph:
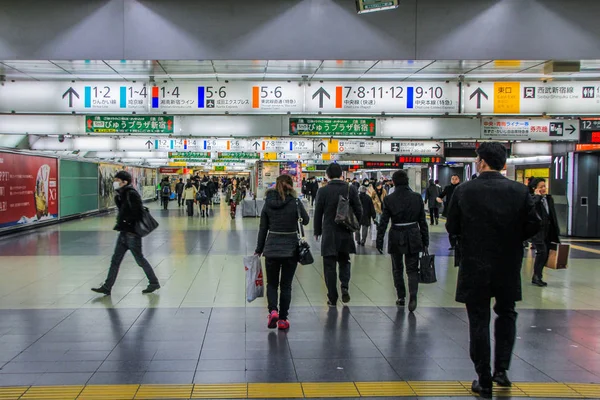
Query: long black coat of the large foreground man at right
(492, 216)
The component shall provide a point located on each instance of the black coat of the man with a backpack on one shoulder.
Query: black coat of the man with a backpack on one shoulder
(335, 238)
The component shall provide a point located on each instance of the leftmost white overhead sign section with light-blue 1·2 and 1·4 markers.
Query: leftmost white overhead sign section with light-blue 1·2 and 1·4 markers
(67, 97)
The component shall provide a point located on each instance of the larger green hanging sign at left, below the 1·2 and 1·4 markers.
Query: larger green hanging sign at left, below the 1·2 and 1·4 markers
(128, 124)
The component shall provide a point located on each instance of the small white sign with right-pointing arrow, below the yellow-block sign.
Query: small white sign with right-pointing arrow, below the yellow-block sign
(530, 129)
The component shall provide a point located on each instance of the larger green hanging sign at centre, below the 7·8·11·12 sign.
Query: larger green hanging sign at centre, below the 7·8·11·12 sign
(333, 126)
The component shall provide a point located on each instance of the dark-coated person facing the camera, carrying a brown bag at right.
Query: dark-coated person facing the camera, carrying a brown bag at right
(549, 231)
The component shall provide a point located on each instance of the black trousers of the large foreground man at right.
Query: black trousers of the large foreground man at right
(505, 330)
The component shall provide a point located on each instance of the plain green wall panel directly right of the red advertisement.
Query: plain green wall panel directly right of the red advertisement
(78, 187)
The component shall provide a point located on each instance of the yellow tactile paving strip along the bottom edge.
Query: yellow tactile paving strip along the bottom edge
(296, 390)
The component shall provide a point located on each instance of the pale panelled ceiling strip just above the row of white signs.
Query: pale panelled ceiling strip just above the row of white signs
(397, 70)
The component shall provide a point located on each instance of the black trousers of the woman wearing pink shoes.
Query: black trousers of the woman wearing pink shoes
(280, 275)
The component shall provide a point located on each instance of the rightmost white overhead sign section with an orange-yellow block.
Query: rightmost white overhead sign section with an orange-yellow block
(532, 98)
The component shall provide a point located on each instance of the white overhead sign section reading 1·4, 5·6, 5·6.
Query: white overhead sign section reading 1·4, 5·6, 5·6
(234, 97)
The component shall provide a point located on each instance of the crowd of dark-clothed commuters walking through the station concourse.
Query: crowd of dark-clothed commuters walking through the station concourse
(488, 219)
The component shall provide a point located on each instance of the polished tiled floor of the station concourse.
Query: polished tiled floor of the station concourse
(198, 329)
